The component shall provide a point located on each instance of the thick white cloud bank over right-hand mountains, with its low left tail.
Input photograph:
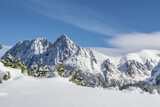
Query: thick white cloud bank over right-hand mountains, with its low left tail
(129, 43)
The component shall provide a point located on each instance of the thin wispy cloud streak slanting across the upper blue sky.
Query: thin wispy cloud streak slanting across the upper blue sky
(75, 14)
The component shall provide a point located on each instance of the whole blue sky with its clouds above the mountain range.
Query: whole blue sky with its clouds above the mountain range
(100, 24)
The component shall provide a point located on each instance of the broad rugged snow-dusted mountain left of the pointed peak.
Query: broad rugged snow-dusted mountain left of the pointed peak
(28, 49)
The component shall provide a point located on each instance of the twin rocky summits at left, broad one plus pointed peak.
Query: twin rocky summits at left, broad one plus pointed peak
(32, 50)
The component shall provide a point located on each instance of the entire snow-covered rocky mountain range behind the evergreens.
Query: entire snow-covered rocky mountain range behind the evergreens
(96, 69)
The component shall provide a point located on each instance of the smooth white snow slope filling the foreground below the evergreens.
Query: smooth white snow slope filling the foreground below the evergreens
(25, 91)
